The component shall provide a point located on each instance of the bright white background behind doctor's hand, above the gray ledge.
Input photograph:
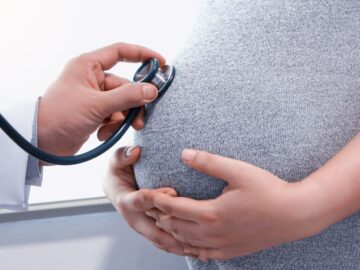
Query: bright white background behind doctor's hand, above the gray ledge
(39, 36)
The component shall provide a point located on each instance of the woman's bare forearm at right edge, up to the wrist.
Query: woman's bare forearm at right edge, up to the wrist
(337, 186)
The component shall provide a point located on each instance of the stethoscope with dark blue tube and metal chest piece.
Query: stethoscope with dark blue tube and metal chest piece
(150, 72)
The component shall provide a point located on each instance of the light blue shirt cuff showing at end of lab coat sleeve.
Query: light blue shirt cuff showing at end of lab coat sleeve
(34, 173)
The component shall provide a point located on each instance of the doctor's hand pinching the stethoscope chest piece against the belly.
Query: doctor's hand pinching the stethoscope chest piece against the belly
(85, 98)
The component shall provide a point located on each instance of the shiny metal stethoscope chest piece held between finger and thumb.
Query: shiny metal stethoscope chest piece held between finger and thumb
(151, 72)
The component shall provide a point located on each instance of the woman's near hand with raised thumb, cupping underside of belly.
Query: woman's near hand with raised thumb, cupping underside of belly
(257, 210)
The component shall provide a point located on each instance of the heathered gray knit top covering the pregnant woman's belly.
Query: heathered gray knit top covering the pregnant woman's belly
(273, 83)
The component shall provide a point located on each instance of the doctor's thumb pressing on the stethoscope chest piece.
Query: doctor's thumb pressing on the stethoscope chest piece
(127, 96)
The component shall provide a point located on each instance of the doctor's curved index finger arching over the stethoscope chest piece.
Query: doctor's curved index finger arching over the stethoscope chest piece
(108, 56)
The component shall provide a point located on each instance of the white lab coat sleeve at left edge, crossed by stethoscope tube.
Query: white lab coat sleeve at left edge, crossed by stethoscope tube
(18, 171)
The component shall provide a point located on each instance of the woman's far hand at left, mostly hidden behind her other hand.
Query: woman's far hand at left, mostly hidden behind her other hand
(120, 187)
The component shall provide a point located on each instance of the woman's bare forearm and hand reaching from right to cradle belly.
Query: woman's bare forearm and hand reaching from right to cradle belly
(257, 209)
